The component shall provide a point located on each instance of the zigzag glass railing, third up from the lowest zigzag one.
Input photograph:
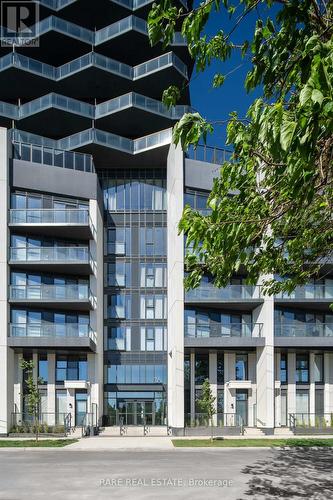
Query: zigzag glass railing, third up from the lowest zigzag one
(92, 59)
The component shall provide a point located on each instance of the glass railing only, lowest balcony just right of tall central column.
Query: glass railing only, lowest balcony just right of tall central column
(218, 330)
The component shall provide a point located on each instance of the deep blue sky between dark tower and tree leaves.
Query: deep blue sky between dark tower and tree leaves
(217, 104)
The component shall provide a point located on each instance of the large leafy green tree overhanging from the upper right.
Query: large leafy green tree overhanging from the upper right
(279, 219)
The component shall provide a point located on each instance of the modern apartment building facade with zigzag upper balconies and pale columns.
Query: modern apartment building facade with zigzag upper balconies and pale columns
(92, 265)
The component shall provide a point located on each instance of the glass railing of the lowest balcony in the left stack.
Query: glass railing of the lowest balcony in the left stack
(52, 330)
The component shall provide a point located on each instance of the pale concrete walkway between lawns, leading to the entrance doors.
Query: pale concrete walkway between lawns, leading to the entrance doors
(122, 443)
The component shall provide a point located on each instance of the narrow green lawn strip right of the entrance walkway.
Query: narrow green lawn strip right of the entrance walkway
(237, 443)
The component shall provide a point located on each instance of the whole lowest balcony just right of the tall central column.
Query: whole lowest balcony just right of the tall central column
(228, 335)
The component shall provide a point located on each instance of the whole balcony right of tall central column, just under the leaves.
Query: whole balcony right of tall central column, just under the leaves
(240, 297)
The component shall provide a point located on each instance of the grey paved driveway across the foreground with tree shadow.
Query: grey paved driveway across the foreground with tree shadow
(186, 474)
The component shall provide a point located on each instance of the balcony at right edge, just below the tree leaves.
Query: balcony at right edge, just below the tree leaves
(319, 296)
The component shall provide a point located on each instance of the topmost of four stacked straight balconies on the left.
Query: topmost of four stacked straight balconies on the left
(74, 223)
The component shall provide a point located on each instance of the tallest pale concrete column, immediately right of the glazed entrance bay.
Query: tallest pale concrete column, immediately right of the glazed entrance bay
(175, 196)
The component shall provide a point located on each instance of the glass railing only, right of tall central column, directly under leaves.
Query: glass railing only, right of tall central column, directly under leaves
(230, 292)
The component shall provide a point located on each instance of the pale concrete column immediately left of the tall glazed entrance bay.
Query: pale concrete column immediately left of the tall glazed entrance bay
(95, 360)
